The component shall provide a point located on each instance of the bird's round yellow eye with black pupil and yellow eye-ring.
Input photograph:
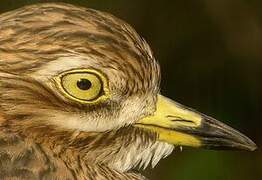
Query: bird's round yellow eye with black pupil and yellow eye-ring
(85, 86)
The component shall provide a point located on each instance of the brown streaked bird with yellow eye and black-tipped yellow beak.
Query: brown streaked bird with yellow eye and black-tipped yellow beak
(80, 99)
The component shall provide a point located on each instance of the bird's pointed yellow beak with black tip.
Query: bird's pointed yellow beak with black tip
(176, 124)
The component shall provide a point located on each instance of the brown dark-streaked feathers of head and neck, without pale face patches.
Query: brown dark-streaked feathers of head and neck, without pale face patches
(31, 38)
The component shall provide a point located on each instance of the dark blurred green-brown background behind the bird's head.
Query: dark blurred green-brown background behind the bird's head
(210, 53)
